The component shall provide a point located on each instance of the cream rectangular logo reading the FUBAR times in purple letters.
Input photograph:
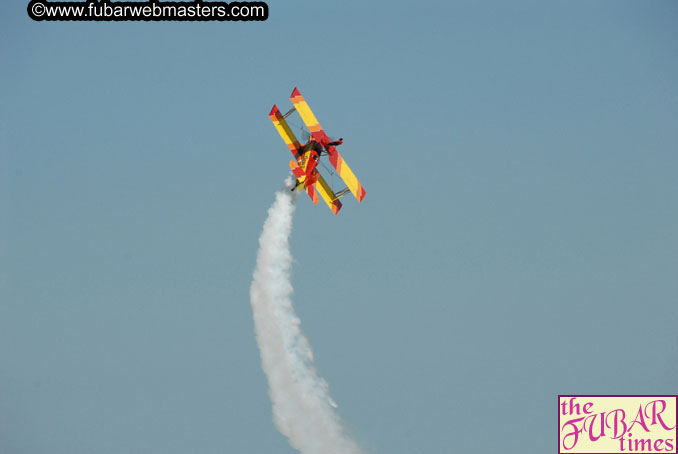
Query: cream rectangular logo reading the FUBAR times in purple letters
(617, 424)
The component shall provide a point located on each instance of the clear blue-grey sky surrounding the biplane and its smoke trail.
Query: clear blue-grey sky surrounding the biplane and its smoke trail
(517, 240)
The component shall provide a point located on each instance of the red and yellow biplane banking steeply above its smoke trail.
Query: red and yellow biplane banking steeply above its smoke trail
(307, 156)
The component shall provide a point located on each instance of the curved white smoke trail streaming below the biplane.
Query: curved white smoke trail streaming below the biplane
(302, 407)
